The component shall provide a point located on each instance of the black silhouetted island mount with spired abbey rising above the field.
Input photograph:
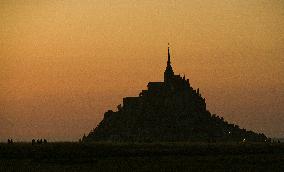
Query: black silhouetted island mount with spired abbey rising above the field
(168, 111)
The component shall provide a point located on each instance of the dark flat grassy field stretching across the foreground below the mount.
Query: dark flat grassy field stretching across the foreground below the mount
(141, 157)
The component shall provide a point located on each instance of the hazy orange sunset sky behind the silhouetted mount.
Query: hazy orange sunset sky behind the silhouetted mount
(64, 63)
